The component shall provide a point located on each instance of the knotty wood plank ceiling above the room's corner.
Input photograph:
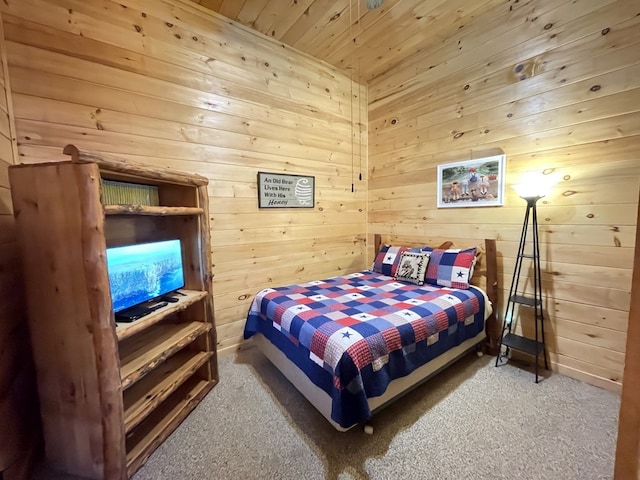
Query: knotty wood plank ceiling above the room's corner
(344, 33)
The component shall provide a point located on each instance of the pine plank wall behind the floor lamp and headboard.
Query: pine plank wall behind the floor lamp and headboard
(555, 85)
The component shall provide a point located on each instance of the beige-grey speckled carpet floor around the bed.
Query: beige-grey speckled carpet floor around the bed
(473, 421)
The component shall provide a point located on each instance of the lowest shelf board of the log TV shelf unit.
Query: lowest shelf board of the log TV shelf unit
(164, 420)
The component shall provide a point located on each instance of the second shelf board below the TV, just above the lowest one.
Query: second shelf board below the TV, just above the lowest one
(142, 398)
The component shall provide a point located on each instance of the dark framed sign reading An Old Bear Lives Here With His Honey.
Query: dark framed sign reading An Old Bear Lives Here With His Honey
(279, 190)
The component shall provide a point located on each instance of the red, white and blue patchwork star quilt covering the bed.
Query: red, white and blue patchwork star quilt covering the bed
(353, 334)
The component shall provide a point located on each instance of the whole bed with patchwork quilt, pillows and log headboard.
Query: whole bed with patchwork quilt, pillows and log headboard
(352, 344)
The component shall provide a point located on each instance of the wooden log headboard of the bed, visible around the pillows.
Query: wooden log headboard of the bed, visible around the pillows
(490, 260)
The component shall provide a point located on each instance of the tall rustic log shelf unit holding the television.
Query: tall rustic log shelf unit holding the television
(110, 393)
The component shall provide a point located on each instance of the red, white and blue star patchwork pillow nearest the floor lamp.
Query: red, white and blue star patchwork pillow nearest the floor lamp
(451, 268)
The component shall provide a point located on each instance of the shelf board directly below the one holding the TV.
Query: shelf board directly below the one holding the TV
(144, 352)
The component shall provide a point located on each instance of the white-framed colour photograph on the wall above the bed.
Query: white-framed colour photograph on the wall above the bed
(472, 183)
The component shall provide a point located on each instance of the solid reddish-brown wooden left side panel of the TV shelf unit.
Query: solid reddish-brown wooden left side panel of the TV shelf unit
(80, 373)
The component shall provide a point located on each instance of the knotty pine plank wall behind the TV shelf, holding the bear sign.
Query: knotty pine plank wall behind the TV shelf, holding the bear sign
(171, 83)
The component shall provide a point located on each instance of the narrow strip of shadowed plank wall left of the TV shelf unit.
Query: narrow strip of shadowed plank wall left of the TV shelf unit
(18, 399)
